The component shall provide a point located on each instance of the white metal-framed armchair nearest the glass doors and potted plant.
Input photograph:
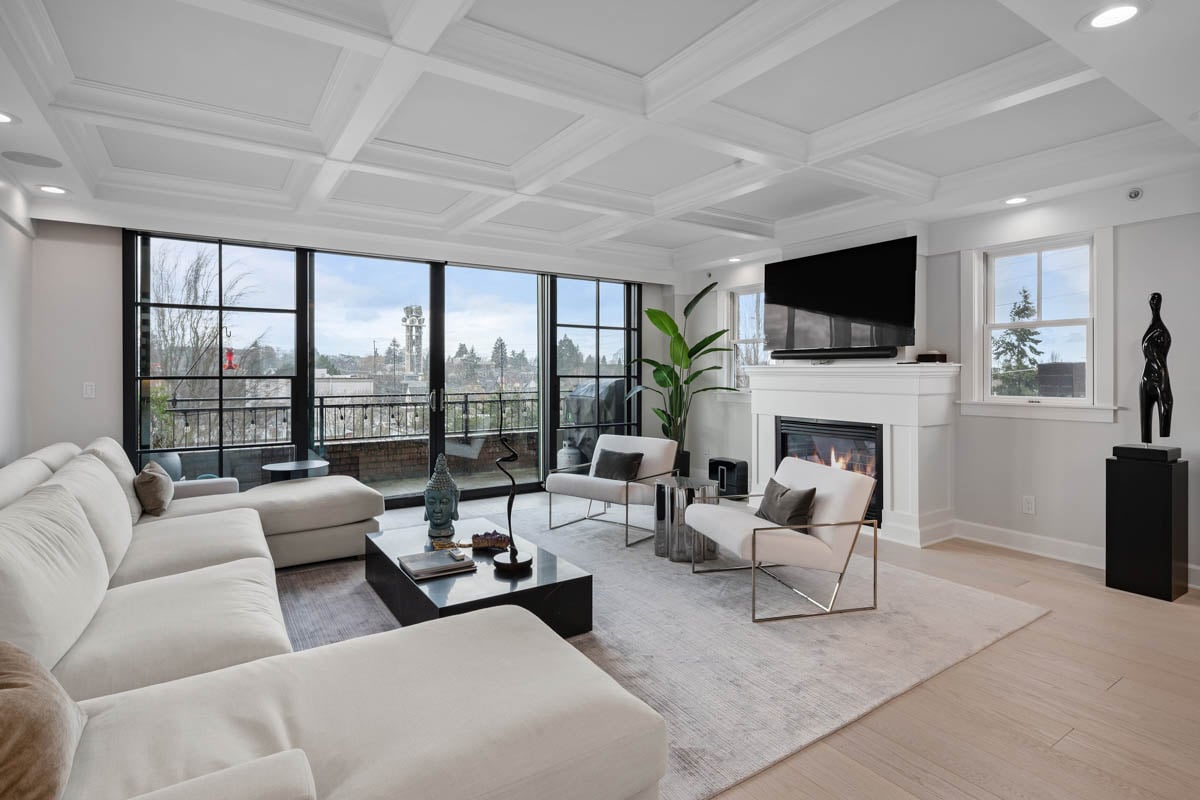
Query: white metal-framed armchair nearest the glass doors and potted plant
(658, 460)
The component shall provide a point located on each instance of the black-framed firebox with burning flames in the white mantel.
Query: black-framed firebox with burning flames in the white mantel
(856, 447)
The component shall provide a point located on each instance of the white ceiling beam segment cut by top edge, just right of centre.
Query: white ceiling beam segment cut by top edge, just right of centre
(760, 39)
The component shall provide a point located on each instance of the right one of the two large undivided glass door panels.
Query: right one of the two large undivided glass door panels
(493, 386)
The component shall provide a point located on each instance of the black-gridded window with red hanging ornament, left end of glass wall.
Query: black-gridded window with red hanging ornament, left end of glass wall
(215, 344)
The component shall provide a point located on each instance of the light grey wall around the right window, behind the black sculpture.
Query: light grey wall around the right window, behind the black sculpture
(1063, 464)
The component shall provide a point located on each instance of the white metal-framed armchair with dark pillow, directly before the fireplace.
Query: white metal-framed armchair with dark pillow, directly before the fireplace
(825, 544)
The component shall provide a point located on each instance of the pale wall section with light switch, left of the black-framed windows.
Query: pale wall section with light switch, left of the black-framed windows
(76, 334)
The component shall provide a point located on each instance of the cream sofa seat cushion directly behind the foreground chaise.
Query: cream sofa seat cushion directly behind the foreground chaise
(175, 627)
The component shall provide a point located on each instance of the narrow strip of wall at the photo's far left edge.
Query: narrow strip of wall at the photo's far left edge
(16, 282)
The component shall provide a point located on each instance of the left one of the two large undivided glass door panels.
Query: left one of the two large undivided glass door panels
(376, 370)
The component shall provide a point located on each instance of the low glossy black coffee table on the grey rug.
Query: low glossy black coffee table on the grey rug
(555, 590)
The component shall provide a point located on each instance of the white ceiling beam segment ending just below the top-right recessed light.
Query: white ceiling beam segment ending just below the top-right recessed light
(1040, 71)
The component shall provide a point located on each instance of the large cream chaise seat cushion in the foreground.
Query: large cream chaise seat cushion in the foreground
(556, 730)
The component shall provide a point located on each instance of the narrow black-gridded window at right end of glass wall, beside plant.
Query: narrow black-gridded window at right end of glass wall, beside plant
(596, 334)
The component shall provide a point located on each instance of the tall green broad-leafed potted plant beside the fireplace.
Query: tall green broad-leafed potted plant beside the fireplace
(675, 381)
